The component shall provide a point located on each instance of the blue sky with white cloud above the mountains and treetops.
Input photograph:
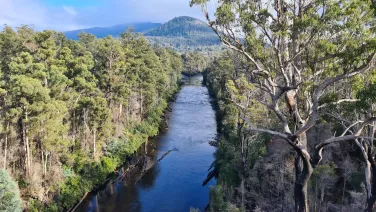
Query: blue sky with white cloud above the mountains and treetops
(64, 15)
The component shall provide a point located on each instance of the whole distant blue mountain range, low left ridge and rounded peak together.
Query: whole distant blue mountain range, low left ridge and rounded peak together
(181, 33)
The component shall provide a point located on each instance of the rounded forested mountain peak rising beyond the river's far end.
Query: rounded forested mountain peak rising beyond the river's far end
(184, 33)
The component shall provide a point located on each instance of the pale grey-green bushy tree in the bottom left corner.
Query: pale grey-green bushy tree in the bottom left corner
(9, 193)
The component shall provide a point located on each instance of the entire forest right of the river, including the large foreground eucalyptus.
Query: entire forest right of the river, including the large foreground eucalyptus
(296, 105)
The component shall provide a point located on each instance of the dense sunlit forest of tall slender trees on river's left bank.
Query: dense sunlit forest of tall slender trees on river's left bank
(71, 111)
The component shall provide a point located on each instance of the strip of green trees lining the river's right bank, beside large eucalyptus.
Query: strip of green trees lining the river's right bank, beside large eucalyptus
(227, 82)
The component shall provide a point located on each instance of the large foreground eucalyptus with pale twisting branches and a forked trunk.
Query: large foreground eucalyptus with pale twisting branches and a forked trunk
(298, 50)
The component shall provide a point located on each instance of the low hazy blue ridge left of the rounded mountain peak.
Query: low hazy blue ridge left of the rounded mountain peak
(114, 31)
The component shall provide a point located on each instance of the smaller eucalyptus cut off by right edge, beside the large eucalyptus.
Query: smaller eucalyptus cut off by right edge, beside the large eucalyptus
(350, 117)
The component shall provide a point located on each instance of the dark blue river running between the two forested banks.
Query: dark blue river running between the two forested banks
(174, 184)
